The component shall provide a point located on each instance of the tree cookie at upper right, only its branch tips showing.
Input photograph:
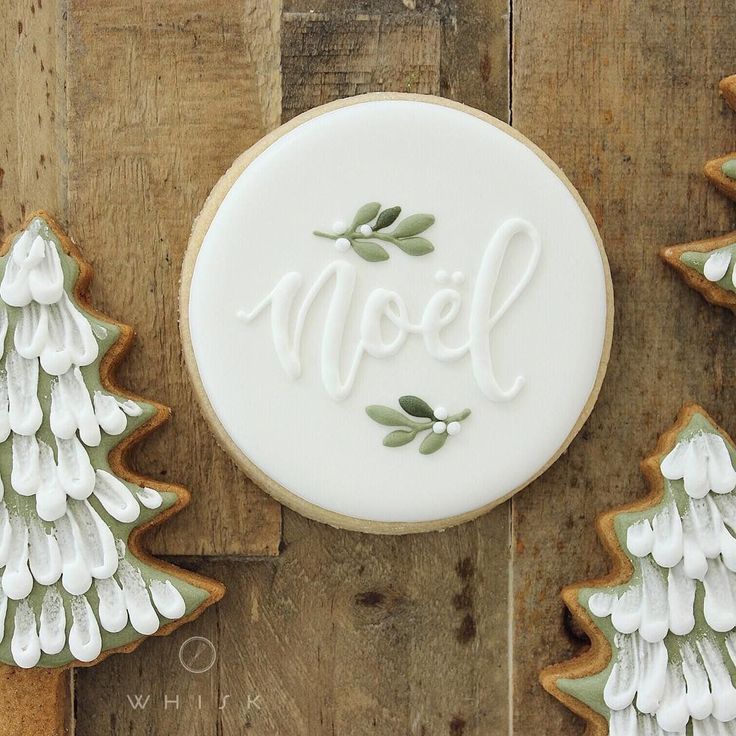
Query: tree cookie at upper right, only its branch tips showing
(708, 265)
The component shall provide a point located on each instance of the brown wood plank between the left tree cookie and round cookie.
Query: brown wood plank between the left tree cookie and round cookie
(161, 98)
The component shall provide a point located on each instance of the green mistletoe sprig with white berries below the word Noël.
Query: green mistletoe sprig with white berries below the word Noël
(437, 422)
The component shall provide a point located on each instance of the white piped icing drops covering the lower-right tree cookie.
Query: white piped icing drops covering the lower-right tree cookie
(658, 683)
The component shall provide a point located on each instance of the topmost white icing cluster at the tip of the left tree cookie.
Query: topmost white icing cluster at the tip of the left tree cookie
(33, 271)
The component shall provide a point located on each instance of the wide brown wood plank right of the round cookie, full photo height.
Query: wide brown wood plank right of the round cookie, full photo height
(624, 96)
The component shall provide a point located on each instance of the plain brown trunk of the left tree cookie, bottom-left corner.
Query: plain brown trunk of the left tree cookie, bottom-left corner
(36, 702)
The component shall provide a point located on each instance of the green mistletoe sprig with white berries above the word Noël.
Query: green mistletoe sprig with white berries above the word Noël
(365, 229)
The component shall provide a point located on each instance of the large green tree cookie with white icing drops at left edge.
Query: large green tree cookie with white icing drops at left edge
(75, 583)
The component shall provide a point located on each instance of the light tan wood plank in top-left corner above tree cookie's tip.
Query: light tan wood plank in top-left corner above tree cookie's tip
(32, 124)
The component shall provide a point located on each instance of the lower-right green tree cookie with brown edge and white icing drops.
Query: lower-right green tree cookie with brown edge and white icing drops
(662, 624)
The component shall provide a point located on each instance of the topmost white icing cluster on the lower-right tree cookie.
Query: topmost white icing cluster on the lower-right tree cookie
(703, 462)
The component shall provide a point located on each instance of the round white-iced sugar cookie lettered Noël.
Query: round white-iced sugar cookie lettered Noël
(396, 312)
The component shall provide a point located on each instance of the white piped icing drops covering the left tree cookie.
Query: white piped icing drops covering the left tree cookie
(65, 540)
